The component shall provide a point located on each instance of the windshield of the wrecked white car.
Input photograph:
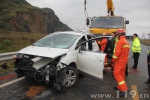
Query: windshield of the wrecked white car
(57, 40)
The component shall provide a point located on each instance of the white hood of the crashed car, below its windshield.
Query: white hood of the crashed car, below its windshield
(43, 51)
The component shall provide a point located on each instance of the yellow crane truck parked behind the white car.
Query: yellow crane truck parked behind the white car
(108, 24)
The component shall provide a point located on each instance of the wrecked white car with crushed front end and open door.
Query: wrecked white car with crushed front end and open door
(59, 57)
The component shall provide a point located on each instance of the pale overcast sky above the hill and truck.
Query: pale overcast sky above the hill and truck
(72, 13)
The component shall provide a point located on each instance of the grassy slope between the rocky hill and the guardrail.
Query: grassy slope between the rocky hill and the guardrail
(11, 41)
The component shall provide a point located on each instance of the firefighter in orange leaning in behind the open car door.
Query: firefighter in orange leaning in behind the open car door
(103, 44)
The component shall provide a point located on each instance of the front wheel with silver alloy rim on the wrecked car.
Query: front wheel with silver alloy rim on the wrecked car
(71, 77)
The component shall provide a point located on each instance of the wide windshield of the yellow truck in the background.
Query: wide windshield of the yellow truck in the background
(107, 22)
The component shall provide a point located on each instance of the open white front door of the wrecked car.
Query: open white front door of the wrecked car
(91, 62)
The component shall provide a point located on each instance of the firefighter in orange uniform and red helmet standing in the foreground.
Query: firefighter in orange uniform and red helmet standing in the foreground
(120, 59)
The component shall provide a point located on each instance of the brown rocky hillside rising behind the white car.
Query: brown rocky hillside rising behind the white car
(19, 15)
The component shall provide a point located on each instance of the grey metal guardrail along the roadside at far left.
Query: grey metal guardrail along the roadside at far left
(7, 56)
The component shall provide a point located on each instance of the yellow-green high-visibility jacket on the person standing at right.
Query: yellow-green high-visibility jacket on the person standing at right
(136, 46)
